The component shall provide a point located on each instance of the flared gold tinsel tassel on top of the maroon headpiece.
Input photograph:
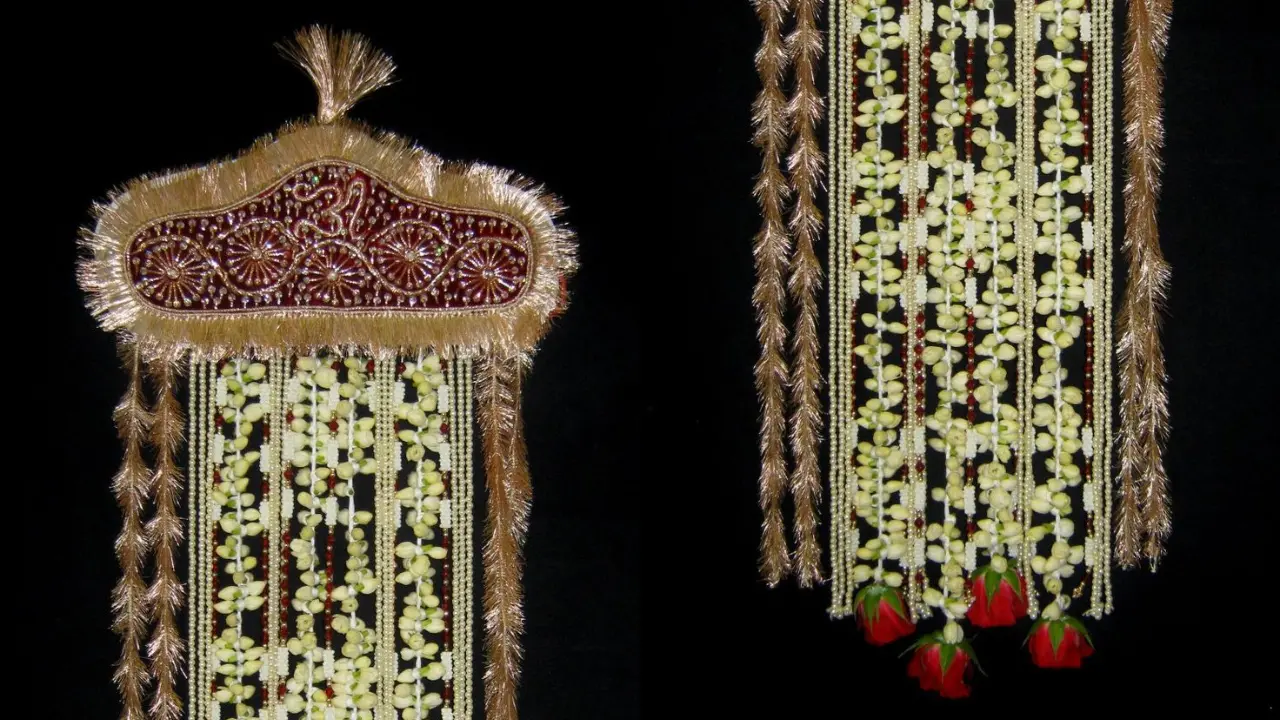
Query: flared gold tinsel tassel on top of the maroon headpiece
(344, 67)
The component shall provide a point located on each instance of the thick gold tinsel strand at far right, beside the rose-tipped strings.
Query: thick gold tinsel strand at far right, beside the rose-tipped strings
(1145, 514)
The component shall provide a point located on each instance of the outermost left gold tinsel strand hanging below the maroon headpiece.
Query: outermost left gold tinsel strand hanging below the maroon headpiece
(131, 489)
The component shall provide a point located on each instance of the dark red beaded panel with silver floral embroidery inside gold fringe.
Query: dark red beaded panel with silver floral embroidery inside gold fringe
(331, 235)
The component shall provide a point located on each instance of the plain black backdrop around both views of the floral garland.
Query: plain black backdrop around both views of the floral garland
(642, 590)
